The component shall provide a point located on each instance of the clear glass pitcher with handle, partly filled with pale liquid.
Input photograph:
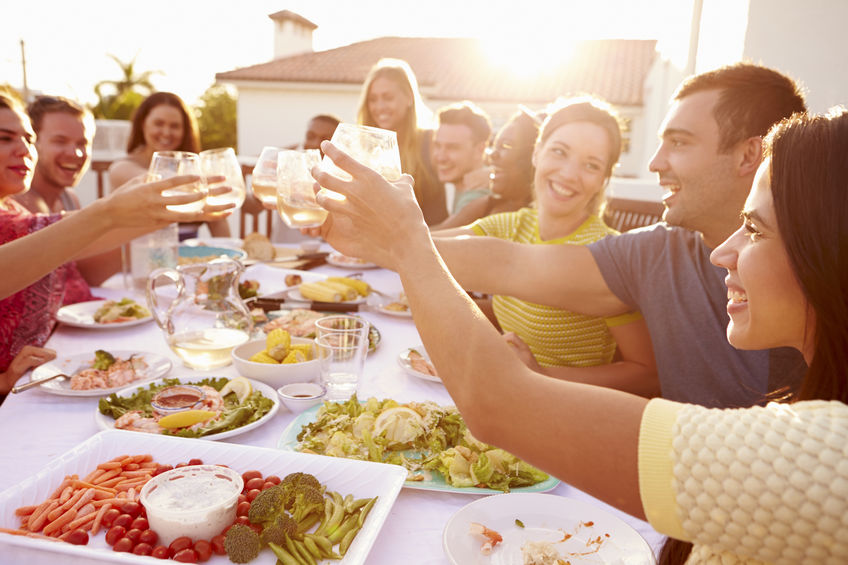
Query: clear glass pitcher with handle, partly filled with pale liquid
(200, 311)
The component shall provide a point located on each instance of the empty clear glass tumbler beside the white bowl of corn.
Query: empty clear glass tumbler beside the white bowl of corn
(342, 359)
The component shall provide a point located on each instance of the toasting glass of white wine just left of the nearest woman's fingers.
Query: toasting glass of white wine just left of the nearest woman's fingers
(295, 189)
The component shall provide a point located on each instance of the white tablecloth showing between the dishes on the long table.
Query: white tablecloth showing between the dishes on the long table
(37, 426)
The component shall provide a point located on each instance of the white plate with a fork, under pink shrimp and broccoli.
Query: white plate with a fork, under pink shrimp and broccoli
(157, 367)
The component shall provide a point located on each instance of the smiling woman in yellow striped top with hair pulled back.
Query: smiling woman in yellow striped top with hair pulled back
(578, 146)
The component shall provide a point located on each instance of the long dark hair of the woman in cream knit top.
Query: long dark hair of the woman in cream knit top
(809, 185)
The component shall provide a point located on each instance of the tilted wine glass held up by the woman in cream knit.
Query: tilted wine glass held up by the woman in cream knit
(373, 147)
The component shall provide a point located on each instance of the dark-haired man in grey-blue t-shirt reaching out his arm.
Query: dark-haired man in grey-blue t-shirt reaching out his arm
(710, 148)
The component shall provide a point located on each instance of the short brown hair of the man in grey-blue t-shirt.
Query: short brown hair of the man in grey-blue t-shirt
(752, 99)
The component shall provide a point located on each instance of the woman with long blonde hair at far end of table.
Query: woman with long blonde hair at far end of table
(390, 100)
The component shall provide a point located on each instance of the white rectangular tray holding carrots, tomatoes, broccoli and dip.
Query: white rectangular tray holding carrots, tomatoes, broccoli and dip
(359, 478)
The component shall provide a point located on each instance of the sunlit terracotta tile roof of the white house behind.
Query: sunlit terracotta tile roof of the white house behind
(455, 69)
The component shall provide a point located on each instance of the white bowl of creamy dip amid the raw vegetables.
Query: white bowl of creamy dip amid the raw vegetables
(197, 501)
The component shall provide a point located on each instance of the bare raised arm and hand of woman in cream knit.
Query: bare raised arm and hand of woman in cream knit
(583, 434)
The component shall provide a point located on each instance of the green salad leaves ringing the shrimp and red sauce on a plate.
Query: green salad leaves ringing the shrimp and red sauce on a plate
(234, 414)
